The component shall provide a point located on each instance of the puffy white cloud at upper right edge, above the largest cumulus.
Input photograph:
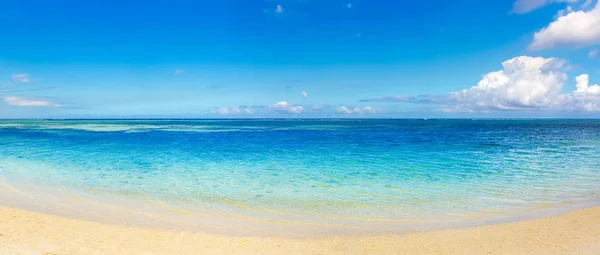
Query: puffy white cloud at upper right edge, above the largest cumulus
(578, 28)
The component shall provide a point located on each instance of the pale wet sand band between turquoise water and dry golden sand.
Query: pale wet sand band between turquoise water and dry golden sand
(147, 213)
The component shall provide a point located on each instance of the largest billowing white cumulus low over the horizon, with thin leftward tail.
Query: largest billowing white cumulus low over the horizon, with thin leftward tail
(524, 83)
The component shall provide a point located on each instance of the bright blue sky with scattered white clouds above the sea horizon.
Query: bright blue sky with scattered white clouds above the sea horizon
(300, 59)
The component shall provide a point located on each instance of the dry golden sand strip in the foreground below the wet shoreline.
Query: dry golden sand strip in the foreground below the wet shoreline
(24, 232)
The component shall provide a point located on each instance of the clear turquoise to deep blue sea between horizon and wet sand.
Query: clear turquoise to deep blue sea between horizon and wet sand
(325, 170)
